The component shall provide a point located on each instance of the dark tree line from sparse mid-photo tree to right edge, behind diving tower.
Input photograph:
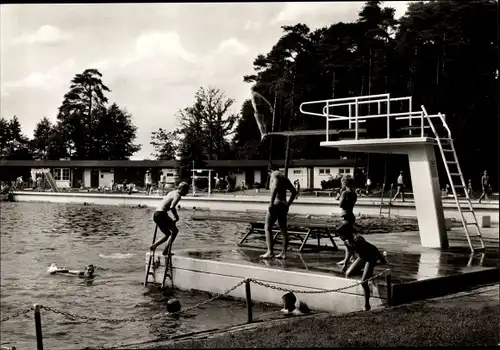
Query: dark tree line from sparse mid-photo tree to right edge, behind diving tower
(442, 53)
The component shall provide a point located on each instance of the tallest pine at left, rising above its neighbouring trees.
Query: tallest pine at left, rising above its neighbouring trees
(81, 105)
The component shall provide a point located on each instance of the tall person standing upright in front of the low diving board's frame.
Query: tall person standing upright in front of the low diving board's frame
(278, 210)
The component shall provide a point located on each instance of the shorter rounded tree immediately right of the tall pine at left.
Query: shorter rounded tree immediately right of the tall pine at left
(114, 135)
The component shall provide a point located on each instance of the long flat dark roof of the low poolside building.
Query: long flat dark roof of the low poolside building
(238, 163)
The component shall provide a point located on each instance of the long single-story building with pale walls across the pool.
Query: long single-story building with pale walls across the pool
(103, 173)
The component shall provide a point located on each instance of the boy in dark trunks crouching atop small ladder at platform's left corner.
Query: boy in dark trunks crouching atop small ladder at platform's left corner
(164, 221)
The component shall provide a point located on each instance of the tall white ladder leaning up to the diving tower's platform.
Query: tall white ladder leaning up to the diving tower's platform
(446, 147)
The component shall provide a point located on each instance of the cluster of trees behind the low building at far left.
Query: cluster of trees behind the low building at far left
(86, 127)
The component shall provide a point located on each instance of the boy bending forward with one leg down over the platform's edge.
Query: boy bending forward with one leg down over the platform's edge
(368, 255)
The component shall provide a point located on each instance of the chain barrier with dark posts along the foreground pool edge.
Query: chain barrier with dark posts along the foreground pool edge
(248, 296)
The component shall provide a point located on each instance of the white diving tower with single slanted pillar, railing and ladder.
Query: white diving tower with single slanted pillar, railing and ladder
(414, 133)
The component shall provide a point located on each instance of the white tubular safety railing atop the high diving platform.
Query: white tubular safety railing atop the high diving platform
(384, 104)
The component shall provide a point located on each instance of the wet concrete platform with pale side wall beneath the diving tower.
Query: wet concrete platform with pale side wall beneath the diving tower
(416, 272)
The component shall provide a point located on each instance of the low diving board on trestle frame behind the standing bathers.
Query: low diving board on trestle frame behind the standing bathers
(302, 230)
